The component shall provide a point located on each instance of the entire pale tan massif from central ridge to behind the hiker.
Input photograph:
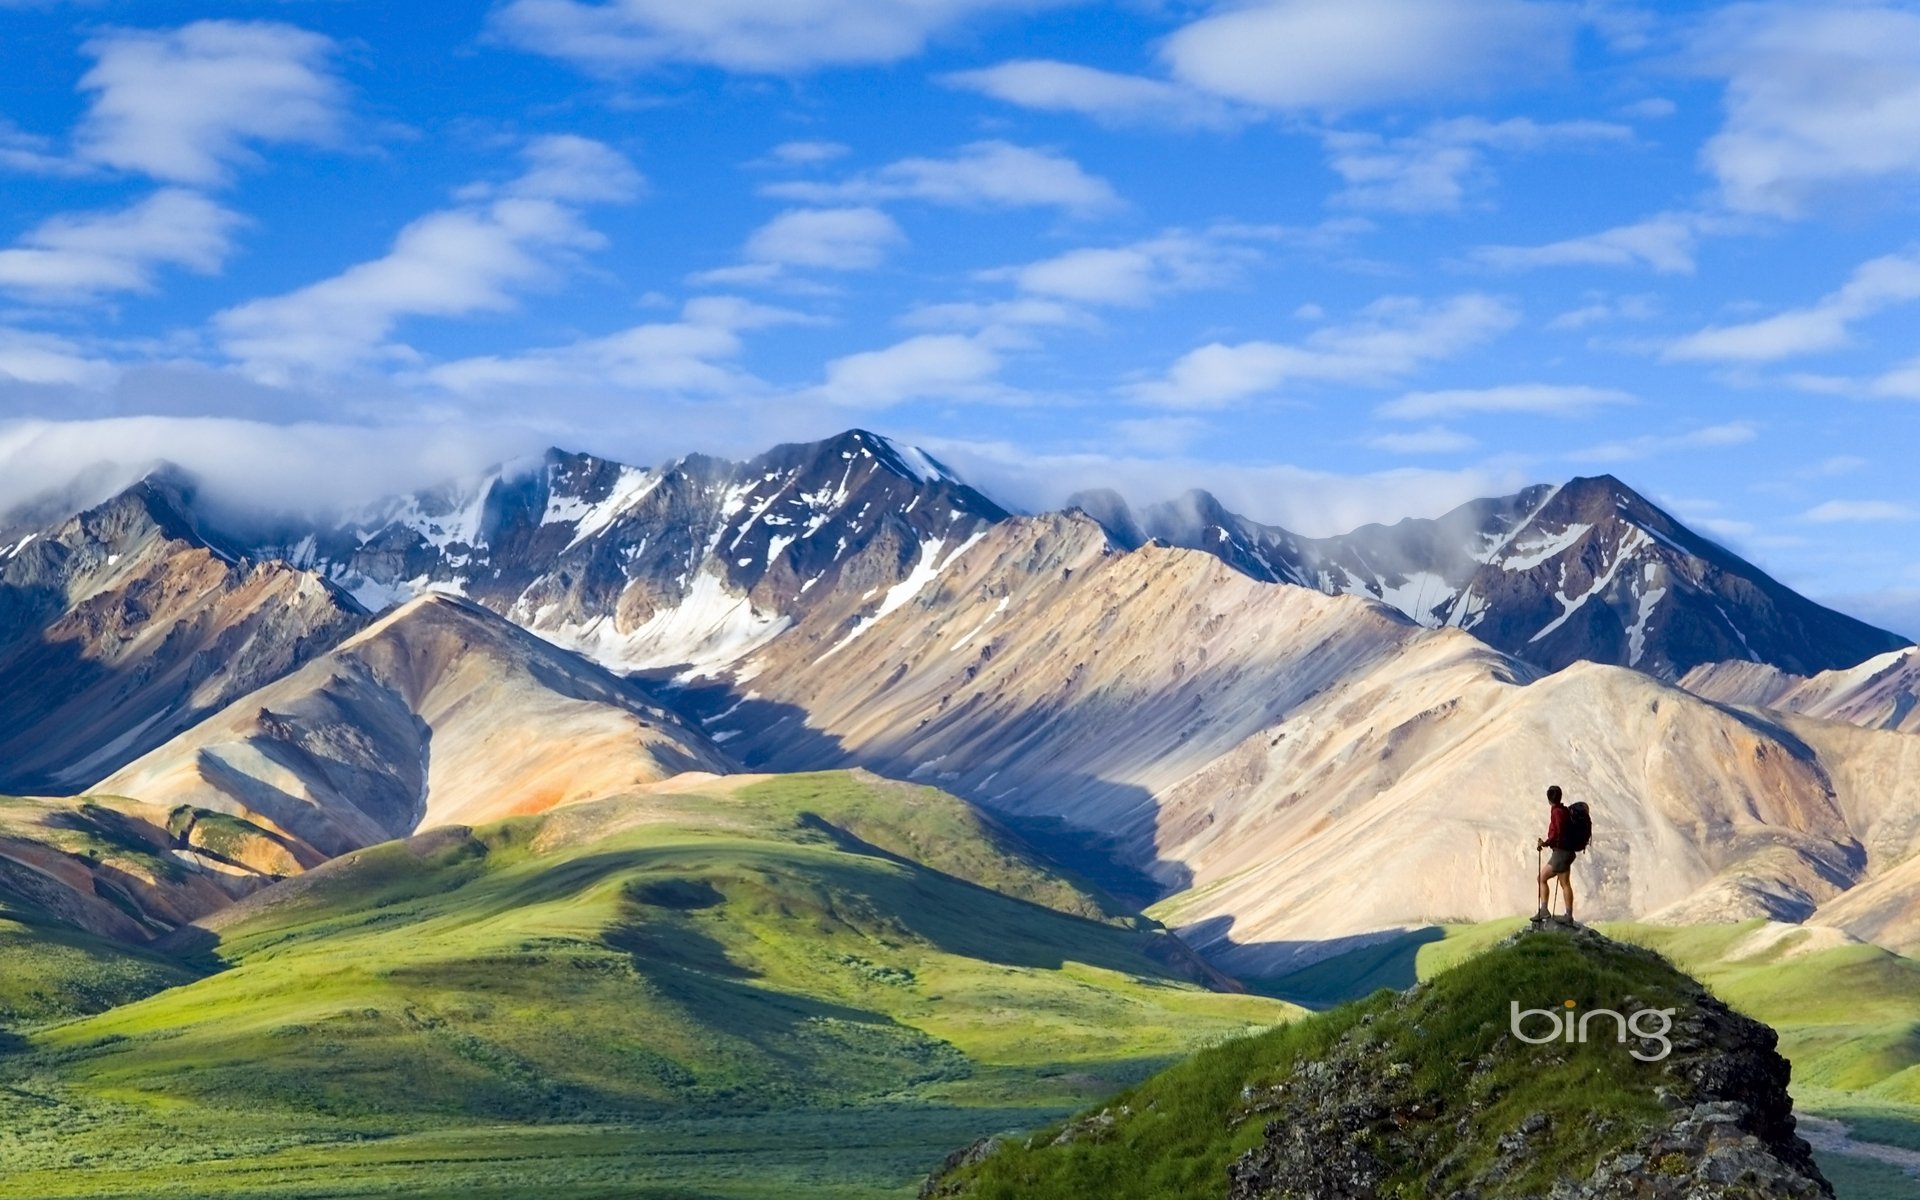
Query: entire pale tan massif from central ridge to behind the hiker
(1303, 769)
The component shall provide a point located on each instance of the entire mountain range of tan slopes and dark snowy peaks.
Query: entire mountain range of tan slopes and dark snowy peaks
(1207, 713)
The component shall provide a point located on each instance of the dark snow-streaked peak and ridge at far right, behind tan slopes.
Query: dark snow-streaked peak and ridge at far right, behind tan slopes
(1587, 571)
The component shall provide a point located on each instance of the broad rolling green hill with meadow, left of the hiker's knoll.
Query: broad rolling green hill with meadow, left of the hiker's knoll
(773, 976)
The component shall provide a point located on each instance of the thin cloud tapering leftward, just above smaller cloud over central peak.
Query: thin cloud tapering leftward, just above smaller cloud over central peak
(980, 176)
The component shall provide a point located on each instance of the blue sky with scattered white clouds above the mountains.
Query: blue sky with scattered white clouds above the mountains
(1333, 260)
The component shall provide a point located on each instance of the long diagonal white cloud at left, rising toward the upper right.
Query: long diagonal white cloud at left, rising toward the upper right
(448, 264)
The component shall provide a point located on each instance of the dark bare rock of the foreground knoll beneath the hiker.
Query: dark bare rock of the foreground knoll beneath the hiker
(1351, 1124)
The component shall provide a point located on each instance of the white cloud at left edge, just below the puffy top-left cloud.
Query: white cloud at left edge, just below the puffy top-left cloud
(82, 256)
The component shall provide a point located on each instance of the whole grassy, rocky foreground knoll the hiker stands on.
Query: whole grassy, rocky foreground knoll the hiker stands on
(1429, 1093)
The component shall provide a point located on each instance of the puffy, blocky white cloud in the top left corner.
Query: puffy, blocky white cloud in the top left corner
(187, 105)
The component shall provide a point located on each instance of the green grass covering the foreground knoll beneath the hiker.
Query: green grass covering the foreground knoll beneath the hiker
(1174, 1136)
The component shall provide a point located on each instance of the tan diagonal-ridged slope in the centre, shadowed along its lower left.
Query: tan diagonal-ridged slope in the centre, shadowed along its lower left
(1047, 673)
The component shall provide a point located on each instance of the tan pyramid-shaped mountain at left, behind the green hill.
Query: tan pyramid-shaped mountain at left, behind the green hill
(437, 713)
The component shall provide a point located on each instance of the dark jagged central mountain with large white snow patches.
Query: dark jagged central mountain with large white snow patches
(688, 565)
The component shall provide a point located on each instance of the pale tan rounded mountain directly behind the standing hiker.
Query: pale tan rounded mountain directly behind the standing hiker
(1418, 796)
